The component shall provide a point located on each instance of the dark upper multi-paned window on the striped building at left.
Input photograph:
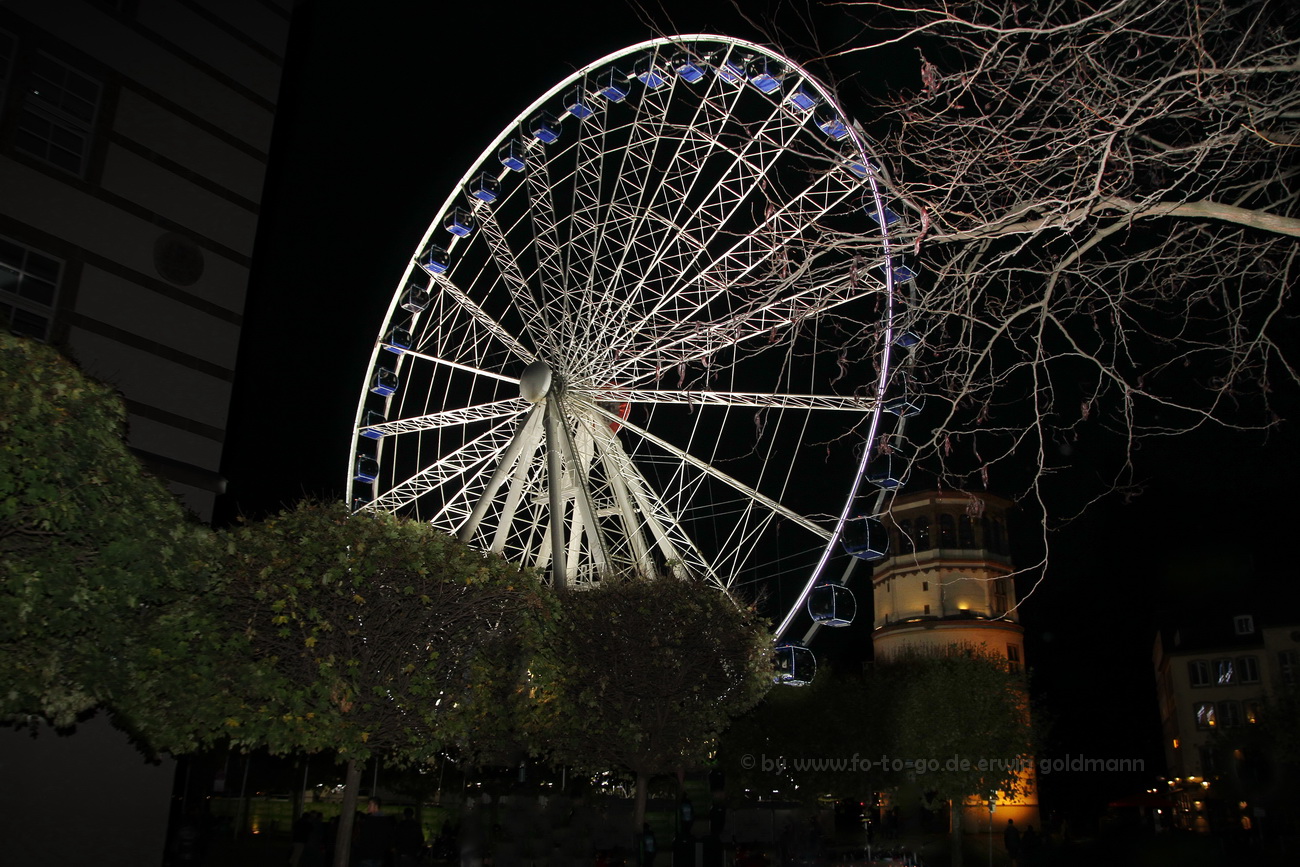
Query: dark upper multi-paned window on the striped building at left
(58, 114)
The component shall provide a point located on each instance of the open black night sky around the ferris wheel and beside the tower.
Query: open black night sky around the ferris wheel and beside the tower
(382, 115)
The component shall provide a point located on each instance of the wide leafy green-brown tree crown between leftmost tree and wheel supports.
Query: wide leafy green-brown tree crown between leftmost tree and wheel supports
(363, 635)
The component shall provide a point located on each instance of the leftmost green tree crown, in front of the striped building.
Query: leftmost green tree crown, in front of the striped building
(99, 566)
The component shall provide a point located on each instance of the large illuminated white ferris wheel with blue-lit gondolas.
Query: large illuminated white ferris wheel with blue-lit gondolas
(651, 331)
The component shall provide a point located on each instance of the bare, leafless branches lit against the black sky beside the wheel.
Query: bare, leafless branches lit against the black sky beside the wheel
(1103, 200)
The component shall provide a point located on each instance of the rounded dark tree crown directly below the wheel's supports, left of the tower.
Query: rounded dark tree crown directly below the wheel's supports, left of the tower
(644, 675)
